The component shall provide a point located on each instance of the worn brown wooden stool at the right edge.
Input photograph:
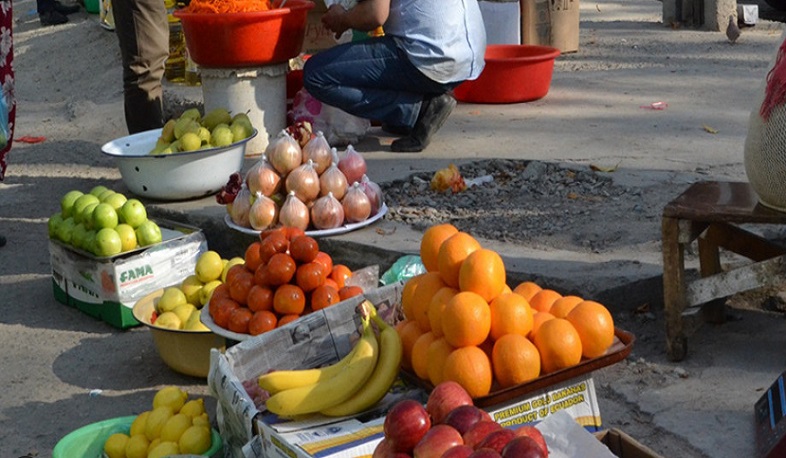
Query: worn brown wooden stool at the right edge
(711, 212)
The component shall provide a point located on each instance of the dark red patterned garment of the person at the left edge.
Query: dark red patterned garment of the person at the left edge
(7, 75)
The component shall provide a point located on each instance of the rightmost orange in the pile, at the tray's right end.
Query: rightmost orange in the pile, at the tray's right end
(595, 326)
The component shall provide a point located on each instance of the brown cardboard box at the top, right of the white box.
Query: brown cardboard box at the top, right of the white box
(551, 23)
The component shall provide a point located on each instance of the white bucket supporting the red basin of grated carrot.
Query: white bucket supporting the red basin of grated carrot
(259, 91)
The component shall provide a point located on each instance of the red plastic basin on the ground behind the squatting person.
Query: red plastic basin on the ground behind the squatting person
(513, 73)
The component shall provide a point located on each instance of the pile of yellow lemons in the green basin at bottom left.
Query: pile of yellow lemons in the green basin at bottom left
(174, 426)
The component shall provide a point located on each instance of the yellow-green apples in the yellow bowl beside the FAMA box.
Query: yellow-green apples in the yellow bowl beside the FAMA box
(179, 306)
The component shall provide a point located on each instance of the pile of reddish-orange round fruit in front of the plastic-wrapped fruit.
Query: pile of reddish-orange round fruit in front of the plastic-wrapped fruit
(285, 276)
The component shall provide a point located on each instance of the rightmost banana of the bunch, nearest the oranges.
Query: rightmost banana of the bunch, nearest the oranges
(381, 379)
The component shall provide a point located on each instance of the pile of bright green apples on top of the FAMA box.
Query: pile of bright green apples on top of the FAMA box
(103, 222)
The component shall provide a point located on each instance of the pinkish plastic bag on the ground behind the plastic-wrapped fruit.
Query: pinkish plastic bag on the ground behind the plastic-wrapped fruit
(340, 128)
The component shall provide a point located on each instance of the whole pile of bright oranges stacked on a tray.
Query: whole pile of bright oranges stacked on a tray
(462, 322)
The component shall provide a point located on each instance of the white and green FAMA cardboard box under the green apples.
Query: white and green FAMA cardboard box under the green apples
(108, 288)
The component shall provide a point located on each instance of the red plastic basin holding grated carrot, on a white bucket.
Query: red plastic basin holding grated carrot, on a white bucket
(230, 40)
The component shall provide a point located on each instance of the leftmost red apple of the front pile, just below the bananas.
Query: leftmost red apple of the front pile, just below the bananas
(405, 424)
